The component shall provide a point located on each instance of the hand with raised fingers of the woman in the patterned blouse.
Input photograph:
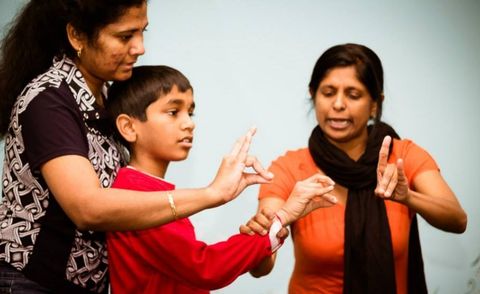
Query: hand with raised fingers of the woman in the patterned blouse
(231, 178)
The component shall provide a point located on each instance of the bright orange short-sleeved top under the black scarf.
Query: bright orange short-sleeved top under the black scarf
(318, 238)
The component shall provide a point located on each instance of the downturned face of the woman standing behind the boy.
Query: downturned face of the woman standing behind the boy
(117, 48)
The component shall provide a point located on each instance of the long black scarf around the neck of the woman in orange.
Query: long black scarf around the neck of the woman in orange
(368, 258)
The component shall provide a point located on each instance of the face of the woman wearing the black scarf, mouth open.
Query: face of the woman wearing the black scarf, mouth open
(343, 107)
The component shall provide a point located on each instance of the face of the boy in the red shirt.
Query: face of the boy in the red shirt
(167, 134)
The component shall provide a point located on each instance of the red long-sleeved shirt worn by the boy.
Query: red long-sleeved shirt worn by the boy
(169, 258)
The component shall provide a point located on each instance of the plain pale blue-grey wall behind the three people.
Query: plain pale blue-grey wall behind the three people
(250, 63)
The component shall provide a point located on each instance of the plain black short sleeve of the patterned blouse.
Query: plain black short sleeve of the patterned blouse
(52, 127)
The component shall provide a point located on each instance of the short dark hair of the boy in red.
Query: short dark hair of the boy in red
(146, 85)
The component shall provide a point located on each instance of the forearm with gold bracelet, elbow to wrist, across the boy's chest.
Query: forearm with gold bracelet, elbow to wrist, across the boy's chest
(119, 210)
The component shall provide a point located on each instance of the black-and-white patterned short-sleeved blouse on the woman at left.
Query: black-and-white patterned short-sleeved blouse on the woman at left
(55, 115)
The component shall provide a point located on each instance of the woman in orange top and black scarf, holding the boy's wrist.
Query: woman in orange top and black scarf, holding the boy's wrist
(368, 242)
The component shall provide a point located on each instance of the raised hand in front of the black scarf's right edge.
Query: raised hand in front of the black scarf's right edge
(392, 183)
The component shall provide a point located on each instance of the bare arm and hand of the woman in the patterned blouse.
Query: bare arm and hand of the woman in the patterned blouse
(75, 185)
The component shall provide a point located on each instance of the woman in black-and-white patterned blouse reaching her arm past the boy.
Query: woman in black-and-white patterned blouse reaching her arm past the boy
(60, 158)
